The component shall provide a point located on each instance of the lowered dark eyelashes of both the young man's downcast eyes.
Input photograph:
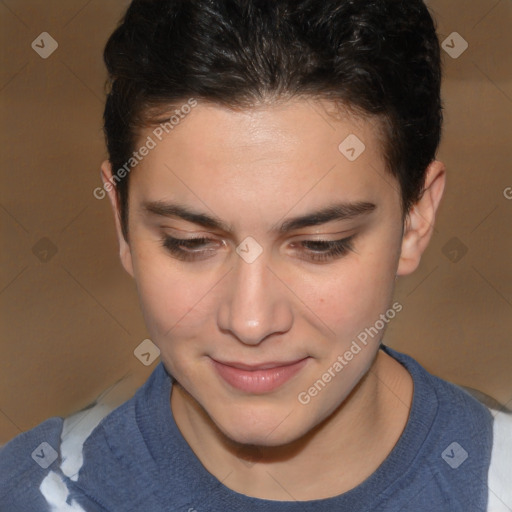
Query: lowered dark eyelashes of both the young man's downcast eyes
(329, 249)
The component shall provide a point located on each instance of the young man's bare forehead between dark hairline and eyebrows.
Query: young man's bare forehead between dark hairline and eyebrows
(269, 157)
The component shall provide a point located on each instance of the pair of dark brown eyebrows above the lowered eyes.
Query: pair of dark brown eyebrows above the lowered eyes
(334, 212)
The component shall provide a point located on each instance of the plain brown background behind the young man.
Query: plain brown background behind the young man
(70, 324)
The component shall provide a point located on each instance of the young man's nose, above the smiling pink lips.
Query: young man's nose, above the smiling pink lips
(255, 305)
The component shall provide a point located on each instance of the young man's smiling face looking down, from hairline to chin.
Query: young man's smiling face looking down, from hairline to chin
(260, 253)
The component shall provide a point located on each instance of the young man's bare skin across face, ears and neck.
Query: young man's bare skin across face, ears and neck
(253, 170)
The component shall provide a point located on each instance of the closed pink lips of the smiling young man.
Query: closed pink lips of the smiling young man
(258, 379)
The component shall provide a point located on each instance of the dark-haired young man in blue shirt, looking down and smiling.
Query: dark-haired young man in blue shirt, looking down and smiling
(272, 171)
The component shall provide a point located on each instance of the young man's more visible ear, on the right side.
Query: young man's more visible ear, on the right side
(419, 223)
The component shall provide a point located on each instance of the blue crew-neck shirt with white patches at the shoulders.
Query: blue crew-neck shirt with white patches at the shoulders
(135, 459)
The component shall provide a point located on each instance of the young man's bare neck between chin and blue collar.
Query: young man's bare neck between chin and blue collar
(345, 449)
